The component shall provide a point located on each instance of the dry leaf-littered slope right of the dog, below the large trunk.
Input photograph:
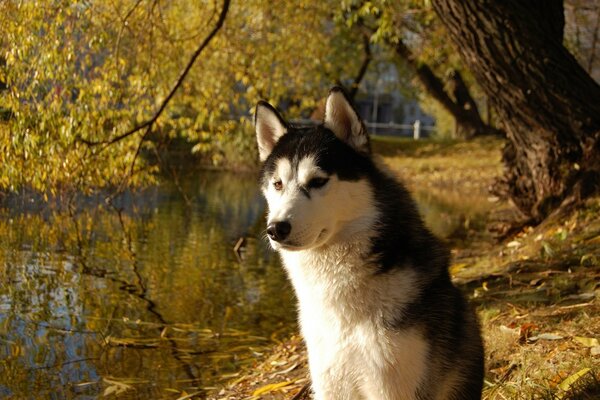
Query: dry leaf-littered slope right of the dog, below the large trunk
(537, 298)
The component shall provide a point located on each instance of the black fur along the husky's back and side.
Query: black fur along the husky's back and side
(436, 309)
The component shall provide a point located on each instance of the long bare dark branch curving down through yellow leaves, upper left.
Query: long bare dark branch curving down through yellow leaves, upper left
(149, 123)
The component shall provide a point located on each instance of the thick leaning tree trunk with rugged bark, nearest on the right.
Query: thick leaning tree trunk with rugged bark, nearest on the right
(549, 106)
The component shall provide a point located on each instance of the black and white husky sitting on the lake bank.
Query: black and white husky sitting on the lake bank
(379, 314)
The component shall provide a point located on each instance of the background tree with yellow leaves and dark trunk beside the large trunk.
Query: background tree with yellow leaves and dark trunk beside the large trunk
(410, 32)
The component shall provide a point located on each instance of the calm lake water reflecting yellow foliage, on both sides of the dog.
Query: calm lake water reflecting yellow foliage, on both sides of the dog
(145, 298)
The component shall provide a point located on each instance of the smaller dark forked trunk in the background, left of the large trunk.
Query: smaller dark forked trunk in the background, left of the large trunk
(462, 106)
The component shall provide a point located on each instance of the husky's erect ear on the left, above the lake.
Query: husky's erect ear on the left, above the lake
(269, 128)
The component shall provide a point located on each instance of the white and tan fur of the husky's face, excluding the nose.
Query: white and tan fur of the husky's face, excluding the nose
(320, 207)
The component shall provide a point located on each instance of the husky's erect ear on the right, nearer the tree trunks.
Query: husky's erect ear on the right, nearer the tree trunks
(344, 122)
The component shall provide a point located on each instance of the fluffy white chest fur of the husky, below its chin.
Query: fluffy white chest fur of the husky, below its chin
(342, 312)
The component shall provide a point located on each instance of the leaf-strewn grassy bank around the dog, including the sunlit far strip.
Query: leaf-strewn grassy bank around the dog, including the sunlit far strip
(535, 288)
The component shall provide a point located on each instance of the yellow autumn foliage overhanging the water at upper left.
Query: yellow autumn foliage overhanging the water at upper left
(93, 88)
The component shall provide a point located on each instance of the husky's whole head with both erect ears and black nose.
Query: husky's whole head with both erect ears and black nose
(314, 178)
